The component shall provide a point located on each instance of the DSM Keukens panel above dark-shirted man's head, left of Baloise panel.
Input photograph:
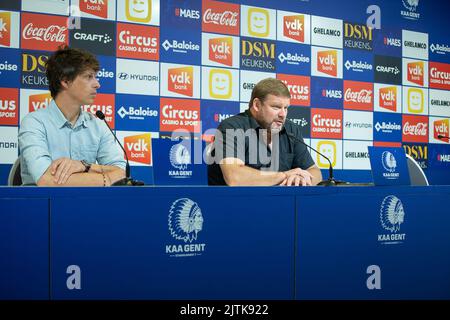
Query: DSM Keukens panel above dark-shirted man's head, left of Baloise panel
(258, 55)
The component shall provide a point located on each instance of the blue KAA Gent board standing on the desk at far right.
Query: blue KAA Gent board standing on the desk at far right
(388, 166)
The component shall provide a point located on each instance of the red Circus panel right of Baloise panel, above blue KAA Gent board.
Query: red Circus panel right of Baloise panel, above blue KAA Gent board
(179, 114)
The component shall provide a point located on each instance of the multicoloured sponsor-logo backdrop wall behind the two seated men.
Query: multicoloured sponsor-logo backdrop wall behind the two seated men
(174, 64)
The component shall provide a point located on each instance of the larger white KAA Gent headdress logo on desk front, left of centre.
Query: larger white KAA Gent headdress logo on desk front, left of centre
(185, 222)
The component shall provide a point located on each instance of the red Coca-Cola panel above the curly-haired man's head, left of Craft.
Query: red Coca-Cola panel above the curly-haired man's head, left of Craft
(43, 32)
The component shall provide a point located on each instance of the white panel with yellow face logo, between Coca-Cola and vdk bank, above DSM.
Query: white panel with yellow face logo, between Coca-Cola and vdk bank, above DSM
(258, 22)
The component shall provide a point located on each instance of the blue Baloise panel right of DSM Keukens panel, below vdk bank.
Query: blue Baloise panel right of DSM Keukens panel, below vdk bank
(293, 58)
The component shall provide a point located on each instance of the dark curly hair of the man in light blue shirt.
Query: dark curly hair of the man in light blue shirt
(66, 64)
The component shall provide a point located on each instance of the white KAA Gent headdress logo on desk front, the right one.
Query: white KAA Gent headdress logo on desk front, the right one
(392, 215)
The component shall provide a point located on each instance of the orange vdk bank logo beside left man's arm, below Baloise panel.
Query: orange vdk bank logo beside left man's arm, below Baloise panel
(138, 148)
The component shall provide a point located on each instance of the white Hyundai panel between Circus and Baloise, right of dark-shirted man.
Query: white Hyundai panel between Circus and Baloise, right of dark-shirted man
(358, 125)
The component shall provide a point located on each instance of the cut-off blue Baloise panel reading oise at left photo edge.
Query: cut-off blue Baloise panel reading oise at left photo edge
(10, 68)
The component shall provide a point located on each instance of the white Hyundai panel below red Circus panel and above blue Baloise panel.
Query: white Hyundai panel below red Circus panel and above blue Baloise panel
(137, 77)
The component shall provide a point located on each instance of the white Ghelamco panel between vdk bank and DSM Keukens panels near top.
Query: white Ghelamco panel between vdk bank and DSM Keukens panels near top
(326, 32)
